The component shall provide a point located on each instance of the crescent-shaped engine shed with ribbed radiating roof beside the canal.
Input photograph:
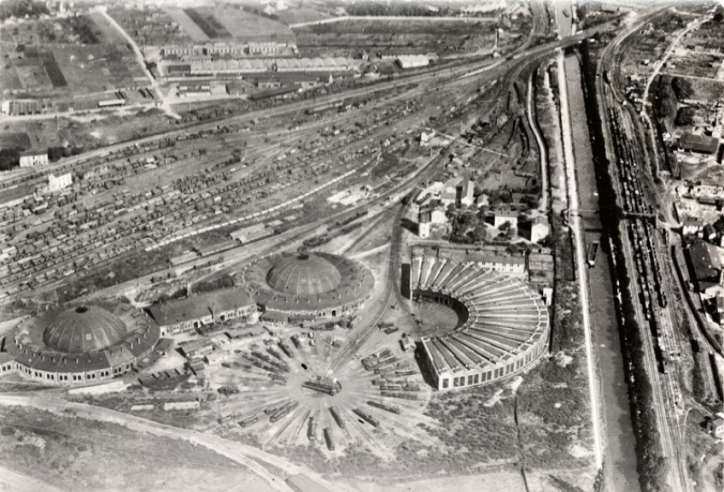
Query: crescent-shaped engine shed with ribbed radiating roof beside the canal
(507, 326)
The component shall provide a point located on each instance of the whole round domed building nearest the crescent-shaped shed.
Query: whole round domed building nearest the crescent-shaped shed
(303, 287)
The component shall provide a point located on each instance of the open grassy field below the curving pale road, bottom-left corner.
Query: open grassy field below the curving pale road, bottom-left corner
(66, 452)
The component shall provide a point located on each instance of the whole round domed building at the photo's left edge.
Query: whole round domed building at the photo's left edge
(80, 345)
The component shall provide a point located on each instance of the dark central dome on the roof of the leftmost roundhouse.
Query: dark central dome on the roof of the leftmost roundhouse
(82, 329)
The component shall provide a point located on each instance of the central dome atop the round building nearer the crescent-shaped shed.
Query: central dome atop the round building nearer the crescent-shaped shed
(303, 275)
